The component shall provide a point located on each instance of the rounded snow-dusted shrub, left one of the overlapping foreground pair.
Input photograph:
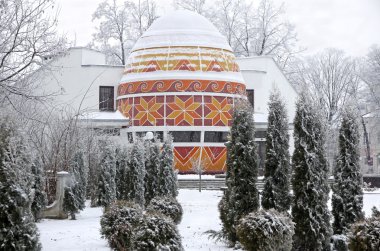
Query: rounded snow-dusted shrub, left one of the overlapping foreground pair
(119, 222)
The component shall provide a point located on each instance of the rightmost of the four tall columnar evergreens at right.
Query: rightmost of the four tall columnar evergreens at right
(347, 199)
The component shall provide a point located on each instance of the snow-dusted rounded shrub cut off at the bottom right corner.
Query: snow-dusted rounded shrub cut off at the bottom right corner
(365, 235)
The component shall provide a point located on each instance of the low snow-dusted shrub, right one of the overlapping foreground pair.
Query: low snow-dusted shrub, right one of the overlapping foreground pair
(156, 232)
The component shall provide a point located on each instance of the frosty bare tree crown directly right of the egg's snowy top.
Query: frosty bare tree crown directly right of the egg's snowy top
(256, 31)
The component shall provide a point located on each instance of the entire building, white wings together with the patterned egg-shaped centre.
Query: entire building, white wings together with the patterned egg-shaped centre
(181, 78)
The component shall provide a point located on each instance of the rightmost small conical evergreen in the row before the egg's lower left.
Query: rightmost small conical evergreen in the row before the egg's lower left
(167, 177)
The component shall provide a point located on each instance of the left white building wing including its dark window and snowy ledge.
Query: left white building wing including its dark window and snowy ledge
(78, 78)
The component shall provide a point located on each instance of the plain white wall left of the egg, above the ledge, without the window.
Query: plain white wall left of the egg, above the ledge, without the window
(78, 75)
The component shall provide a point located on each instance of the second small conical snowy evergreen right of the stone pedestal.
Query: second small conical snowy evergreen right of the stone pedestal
(106, 186)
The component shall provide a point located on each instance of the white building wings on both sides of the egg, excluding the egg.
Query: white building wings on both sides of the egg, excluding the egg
(87, 84)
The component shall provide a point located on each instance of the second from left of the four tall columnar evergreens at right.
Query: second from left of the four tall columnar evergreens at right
(276, 192)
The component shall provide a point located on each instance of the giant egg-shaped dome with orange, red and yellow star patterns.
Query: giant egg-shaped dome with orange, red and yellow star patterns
(181, 78)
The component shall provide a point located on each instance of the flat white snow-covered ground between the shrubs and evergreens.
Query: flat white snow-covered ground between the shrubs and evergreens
(200, 215)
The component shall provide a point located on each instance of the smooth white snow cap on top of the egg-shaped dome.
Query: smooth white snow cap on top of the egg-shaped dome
(182, 28)
